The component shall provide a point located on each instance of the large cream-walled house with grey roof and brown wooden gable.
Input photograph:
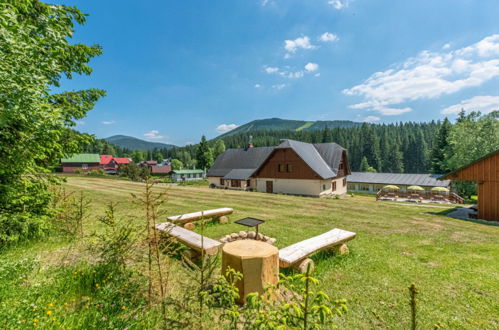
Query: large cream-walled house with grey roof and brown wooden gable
(293, 167)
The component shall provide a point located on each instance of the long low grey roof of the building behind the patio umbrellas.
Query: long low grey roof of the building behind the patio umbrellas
(425, 180)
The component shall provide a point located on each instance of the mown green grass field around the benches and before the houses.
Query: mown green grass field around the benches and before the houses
(454, 263)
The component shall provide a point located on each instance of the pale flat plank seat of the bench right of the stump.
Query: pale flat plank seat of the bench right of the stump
(298, 251)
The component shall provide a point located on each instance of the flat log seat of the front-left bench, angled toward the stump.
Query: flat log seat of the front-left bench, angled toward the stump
(190, 238)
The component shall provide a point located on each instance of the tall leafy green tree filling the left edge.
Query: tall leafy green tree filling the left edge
(35, 124)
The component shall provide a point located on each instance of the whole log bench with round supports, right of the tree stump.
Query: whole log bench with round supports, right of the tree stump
(296, 255)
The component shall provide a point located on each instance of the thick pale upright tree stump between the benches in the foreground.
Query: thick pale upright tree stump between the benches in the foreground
(257, 261)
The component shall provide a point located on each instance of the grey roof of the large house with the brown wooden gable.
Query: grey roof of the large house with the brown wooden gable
(240, 164)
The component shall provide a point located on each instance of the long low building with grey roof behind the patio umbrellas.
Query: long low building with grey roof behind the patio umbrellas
(371, 183)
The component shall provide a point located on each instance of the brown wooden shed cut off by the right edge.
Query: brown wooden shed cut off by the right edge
(485, 172)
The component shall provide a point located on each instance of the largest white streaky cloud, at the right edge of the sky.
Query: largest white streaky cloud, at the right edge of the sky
(429, 75)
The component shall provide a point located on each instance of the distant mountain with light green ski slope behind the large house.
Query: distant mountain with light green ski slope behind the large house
(277, 124)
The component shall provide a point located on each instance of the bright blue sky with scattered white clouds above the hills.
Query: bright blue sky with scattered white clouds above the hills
(175, 70)
